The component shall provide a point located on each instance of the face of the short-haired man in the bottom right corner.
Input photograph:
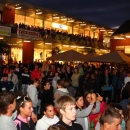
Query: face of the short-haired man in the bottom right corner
(115, 125)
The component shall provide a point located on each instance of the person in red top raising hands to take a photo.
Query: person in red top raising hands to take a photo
(93, 118)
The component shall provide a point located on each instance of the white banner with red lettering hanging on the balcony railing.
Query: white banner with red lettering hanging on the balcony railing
(27, 34)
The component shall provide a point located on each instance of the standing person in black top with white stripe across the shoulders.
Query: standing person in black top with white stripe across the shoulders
(25, 81)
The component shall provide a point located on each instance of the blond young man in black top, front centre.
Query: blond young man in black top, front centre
(66, 107)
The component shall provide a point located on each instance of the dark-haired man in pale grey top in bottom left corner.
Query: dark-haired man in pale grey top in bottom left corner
(7, 106)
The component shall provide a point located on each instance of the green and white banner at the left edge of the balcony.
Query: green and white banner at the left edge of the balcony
(5, 31)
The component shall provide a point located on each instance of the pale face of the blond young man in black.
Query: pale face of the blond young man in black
(69, 113)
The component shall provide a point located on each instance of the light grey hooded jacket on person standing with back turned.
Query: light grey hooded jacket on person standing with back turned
(33, 94)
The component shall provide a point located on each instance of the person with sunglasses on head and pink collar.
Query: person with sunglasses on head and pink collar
(24, 108)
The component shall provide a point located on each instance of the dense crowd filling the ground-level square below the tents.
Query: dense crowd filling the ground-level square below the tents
(68, 97)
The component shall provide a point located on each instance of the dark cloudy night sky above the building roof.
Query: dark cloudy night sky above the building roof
(110, 13)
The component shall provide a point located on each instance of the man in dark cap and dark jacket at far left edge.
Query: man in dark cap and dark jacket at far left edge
(5, 84)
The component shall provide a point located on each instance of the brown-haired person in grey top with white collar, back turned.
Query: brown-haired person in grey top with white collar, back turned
(61, 90)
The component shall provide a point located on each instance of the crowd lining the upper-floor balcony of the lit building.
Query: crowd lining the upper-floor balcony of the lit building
(53, 33)
